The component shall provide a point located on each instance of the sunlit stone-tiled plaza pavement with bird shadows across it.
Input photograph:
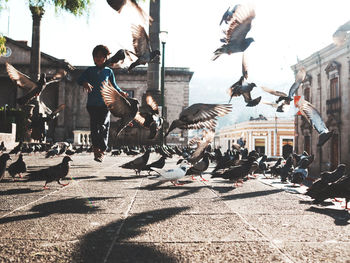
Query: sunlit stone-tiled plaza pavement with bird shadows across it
(108, 214)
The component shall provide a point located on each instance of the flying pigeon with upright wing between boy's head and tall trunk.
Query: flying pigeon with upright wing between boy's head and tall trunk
(142, 47)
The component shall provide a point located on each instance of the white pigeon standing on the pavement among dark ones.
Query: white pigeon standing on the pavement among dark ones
(172, 175)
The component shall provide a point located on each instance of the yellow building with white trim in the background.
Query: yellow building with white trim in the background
(270, 136)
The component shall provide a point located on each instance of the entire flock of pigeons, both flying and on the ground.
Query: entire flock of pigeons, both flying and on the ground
(236, 165)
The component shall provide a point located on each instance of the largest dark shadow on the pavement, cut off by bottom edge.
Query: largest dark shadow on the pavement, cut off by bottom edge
(111, 244)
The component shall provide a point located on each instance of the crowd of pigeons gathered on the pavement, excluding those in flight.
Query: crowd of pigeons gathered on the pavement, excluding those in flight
(236, 165)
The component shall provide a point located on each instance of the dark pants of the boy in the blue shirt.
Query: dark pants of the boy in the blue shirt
(99, 126)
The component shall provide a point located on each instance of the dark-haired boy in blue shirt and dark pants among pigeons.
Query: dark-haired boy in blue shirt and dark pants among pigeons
(91, 79)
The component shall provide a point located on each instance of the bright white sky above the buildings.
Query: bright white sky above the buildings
(282, 31)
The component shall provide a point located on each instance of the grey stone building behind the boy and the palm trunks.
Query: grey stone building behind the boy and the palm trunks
(75, 116)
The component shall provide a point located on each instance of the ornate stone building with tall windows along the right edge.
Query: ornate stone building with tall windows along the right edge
(327, 87)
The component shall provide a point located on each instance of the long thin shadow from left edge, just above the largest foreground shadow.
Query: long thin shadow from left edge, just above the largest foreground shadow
(67, 206)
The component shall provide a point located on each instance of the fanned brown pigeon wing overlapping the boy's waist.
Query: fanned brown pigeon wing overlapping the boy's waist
(118, 105)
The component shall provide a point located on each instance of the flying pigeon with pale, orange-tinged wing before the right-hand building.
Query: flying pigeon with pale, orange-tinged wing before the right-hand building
(309, 111)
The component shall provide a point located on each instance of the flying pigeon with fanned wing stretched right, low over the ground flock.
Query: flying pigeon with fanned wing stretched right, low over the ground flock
(199, 116)
